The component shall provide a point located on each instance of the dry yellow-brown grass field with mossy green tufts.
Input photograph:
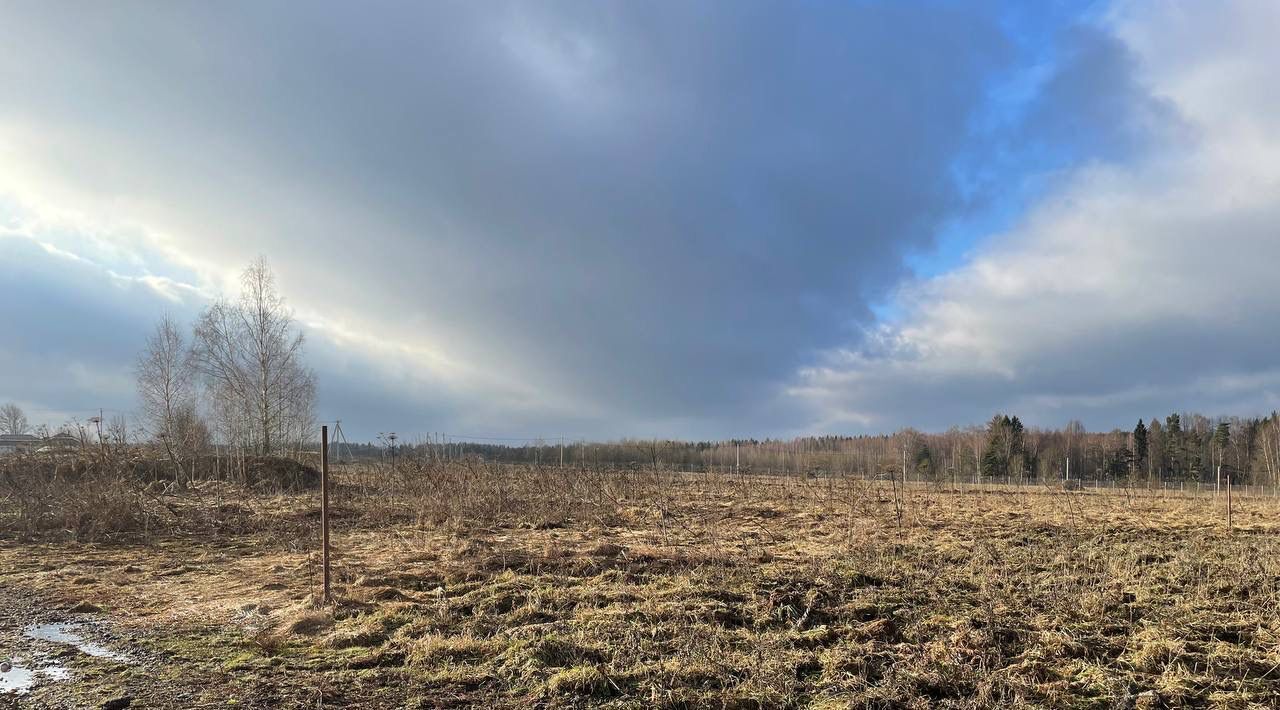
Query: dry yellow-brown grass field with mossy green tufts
(473, 585)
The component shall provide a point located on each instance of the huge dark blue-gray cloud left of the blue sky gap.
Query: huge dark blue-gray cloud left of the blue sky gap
(612, 217)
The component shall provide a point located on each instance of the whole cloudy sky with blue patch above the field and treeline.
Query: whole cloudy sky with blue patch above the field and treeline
(694, 221)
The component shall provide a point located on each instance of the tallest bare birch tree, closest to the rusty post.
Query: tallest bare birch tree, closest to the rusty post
(250, 354)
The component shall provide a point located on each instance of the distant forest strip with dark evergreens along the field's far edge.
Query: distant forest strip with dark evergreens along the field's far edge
(1180, 448)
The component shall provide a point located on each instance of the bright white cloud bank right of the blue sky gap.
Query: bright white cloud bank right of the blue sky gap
(1131, 288)
